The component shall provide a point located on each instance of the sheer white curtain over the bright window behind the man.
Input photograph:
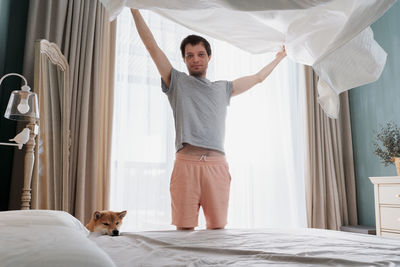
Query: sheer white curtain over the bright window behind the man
(264, 134)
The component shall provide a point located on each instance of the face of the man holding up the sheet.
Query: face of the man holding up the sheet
(196, 59)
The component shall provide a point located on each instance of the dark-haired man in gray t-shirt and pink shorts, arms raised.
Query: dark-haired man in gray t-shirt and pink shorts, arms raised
(201, 175)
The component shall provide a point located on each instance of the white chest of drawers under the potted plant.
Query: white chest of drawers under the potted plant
(387, 205)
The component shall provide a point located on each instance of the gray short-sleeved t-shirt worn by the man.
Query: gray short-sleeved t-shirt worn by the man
(199, 107)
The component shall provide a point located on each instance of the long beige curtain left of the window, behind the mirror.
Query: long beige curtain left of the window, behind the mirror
(86, 38)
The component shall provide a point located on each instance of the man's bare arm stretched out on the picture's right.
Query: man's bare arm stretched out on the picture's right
(245, 83)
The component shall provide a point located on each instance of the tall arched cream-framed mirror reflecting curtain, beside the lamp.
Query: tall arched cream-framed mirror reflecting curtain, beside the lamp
(52, 148)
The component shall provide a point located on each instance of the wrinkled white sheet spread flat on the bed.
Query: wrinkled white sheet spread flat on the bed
(298, 247)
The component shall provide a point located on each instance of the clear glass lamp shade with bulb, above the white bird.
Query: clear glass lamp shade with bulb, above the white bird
(22, 106)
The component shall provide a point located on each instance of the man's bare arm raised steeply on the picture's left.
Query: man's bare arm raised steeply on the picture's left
(160, 59)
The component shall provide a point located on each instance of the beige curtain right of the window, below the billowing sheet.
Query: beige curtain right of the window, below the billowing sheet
(329, 177)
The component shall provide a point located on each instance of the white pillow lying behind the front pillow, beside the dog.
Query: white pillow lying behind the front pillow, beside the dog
(41, 217)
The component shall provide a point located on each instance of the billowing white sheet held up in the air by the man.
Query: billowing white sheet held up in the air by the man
(333, 36)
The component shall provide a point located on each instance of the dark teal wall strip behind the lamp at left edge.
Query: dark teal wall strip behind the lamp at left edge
(13, 18)
